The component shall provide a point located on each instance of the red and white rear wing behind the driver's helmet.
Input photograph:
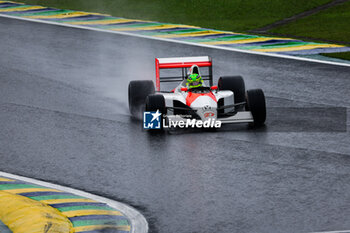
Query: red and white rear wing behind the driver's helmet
(184, 63)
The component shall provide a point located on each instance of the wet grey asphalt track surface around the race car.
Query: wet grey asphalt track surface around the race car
(64, 118)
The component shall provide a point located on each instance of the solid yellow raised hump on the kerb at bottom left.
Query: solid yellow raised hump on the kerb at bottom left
(22, 214)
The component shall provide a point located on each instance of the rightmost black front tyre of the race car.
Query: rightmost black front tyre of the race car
(257, 105)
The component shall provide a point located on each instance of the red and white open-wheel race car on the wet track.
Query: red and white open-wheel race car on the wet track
(227, 102)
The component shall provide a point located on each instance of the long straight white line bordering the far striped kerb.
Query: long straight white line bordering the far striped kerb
(179, 42)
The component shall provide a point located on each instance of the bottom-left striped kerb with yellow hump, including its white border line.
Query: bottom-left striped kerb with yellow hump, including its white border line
(84, 212)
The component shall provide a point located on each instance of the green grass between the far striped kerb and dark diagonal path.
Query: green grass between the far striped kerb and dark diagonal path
(231, 15)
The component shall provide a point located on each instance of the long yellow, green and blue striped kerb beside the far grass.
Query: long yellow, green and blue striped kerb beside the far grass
(187, 33)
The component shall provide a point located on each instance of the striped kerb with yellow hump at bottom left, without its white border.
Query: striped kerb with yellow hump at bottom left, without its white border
(26, 207)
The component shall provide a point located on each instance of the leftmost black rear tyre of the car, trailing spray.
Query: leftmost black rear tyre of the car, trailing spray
(138, 91)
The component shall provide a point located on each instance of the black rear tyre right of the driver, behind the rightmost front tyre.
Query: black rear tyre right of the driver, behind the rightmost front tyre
(236, 85)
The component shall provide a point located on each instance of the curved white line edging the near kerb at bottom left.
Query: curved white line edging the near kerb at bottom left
(138, 221)
